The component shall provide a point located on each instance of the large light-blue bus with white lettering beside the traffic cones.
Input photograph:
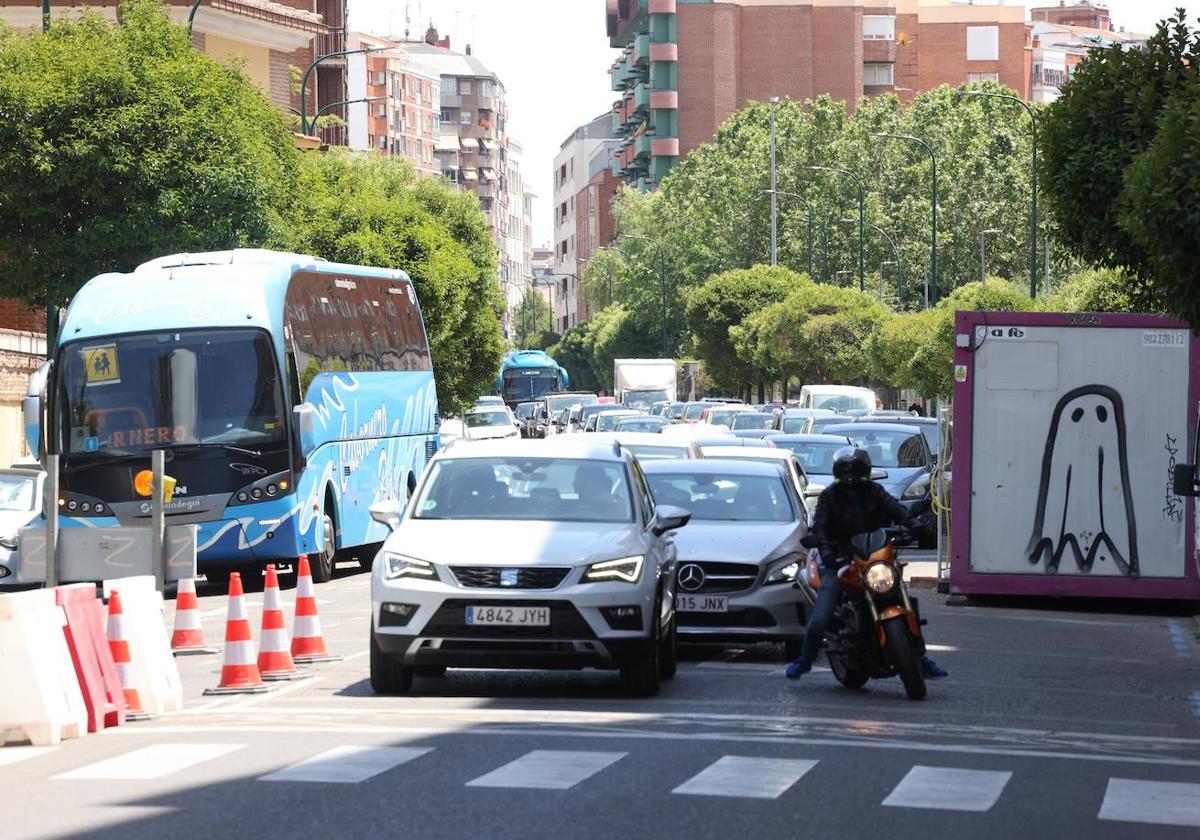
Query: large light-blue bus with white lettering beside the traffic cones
(290, 395)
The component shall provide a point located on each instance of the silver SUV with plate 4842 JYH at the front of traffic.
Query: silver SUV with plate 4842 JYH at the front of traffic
(523, 555)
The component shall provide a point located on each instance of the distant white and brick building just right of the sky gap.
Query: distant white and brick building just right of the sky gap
(579, 212)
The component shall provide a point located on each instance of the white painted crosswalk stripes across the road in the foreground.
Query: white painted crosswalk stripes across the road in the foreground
(931, 788)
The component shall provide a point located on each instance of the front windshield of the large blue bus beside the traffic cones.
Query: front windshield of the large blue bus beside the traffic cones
(155, 391)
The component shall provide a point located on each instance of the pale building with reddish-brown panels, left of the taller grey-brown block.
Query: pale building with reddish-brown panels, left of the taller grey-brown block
(394, 106)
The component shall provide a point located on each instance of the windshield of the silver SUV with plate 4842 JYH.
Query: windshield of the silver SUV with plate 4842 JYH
(555, 490)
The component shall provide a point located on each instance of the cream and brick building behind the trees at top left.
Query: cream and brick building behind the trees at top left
(269, 39)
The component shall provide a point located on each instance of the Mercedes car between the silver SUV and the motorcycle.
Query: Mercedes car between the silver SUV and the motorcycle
(741, 553)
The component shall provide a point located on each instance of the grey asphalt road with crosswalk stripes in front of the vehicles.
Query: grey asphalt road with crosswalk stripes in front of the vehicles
(1055, 722)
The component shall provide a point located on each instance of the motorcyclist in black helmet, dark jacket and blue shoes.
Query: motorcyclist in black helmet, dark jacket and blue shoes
(853, 505)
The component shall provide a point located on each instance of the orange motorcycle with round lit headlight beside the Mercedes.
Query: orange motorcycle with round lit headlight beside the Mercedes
(875, 632)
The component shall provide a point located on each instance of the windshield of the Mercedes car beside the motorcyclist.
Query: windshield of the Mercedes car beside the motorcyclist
(725, 499)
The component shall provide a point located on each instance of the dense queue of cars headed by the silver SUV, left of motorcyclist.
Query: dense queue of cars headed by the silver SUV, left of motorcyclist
(609, 538)
